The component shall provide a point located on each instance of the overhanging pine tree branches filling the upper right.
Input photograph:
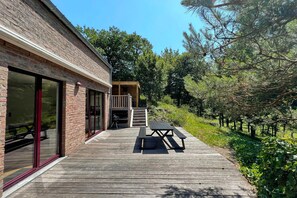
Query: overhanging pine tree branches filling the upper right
(254, 42)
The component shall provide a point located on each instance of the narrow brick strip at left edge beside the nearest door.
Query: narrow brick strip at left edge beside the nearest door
(3, 94)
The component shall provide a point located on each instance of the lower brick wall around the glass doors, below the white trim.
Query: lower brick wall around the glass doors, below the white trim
(73, 118)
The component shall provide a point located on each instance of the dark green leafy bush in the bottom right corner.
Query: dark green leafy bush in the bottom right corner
(278, 169)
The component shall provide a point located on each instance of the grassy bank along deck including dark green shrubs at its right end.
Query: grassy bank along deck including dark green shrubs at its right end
(245, 148)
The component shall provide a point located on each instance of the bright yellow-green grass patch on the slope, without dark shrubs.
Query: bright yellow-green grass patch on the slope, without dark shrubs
(204, 129)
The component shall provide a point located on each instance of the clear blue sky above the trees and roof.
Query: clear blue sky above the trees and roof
(162, 22)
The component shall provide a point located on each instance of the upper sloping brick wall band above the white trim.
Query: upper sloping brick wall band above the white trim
(34, 21)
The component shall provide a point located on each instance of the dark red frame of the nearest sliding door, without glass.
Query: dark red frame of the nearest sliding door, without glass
(37, 124)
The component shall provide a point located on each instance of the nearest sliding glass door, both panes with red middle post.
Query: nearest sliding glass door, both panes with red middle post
(32, 124)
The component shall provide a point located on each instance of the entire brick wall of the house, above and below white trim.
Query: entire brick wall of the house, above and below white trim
(33, 20)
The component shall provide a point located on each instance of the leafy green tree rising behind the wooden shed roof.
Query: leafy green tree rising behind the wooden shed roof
(121, 49)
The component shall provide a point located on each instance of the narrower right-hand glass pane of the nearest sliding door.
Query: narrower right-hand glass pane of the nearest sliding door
(49, 138)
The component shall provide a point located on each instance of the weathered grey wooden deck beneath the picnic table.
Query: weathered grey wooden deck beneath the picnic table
(113, 166)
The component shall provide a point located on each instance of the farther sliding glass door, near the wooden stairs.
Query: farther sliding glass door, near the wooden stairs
(94, 112)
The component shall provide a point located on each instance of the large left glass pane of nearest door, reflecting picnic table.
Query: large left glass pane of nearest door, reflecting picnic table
(19, 140)
